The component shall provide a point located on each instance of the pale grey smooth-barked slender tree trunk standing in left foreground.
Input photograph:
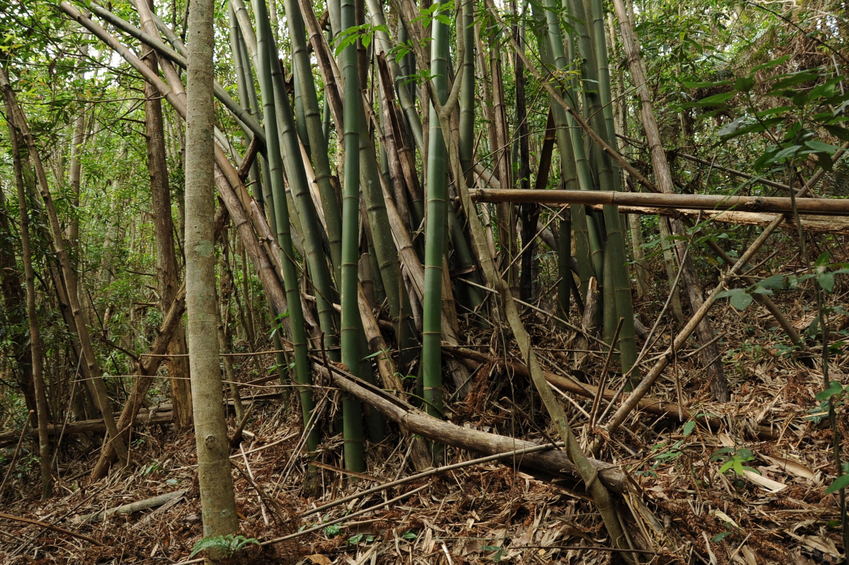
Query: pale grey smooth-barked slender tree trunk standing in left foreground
(216, 481)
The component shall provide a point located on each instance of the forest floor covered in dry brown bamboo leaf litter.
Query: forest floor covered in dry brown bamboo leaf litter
(751, 490)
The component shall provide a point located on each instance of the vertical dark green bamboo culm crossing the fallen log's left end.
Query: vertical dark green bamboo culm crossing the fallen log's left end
(352, 421)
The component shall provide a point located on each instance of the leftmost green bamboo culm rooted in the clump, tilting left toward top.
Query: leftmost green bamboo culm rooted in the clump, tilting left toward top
(298, 335)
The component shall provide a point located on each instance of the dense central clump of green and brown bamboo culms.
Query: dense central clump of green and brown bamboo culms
(373, 205)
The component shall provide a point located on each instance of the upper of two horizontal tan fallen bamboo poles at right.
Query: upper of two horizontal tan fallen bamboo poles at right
(784, 205)
